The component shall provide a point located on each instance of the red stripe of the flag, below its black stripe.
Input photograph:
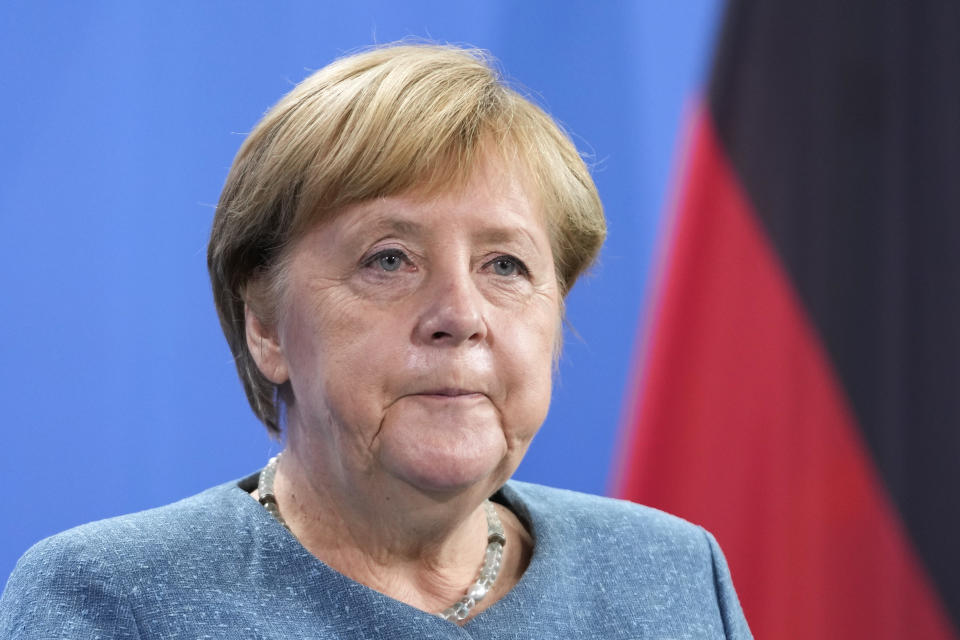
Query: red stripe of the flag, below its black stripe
(741, 425)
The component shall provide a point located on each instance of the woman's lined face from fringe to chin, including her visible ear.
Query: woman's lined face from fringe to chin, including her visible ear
(417, 334)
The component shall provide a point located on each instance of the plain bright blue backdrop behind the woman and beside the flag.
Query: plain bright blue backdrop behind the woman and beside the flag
(118, 123)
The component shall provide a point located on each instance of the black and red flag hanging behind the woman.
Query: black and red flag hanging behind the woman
(799, 391)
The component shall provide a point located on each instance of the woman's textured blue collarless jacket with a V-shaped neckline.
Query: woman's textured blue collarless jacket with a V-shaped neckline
(217, 565)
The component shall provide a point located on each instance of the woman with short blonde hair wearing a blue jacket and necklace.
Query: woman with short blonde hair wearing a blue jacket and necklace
(389, 259)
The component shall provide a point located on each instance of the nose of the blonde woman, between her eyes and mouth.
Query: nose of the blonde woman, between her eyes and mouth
(452, 312)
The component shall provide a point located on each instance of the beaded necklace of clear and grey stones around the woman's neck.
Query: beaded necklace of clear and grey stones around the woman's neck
(489, 571)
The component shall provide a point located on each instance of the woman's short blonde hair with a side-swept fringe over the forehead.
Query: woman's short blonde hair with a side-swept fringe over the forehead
(374, 124)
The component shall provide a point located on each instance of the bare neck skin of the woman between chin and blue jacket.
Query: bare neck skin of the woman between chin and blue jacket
(419, 549)
